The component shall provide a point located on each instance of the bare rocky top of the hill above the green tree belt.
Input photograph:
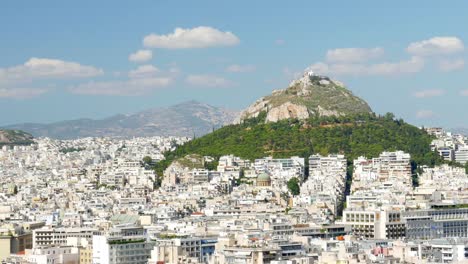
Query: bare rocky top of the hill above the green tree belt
(310, 95)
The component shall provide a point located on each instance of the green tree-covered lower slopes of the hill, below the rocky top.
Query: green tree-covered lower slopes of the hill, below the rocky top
(353, 135)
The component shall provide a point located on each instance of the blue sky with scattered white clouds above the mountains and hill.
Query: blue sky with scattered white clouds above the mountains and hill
(64, 60)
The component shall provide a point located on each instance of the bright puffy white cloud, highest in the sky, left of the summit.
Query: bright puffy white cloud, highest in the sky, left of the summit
(199, 37)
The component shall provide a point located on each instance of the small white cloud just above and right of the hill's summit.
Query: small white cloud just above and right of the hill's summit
(351, 55)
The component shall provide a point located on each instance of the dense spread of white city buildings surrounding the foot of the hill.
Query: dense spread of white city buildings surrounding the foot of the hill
(97, 200)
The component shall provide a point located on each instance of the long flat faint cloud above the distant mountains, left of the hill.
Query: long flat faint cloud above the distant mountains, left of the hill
(132, 87)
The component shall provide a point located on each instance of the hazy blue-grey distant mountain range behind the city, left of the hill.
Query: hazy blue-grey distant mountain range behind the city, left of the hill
(185, 119)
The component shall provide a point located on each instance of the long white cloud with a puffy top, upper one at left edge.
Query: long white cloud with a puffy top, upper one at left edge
(41, 68)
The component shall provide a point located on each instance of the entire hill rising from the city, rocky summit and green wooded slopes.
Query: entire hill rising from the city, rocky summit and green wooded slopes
(315, 114)
